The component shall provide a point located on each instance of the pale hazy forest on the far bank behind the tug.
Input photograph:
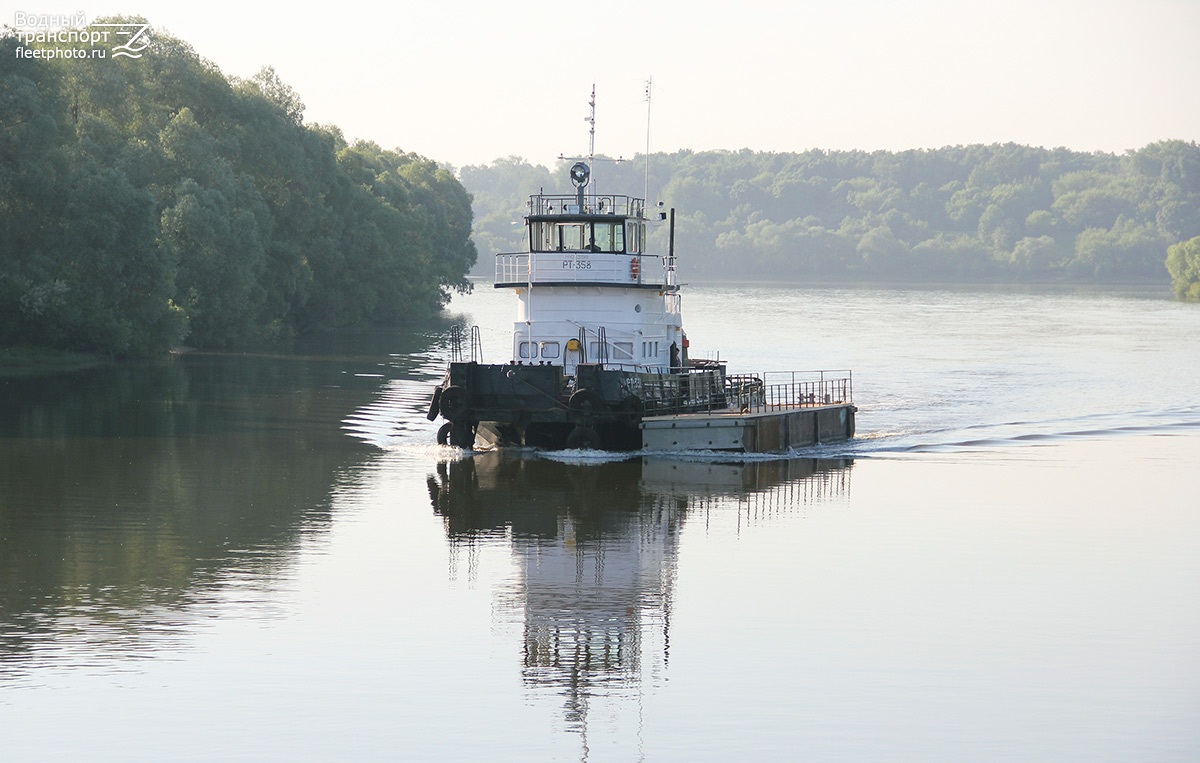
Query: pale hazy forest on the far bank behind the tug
(962, 214)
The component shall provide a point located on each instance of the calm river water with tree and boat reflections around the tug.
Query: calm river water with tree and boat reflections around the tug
(266, 557)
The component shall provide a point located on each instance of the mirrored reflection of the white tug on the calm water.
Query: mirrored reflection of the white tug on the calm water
(596, 548)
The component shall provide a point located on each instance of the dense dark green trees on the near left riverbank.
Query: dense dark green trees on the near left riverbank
(154, 201)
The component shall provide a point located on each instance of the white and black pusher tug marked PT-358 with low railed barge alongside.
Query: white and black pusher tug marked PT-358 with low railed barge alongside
(601, 359)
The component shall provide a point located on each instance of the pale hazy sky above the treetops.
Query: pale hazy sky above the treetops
(467, 82)
